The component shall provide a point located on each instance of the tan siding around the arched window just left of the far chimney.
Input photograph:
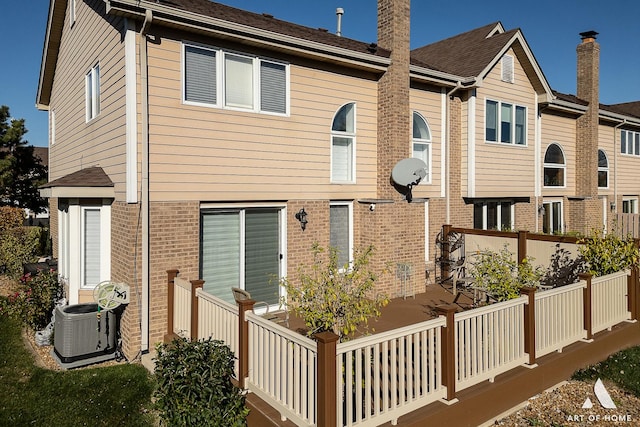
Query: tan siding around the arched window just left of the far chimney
(561, 130)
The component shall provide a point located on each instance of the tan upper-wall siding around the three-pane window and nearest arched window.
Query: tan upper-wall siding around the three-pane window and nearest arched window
(206, 153)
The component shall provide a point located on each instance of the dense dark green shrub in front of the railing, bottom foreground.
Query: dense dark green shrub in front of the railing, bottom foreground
(194, 385)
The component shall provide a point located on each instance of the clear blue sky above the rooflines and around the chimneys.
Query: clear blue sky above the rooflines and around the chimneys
(551, 28)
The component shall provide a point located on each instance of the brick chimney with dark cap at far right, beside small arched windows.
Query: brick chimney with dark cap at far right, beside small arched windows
(588, 216)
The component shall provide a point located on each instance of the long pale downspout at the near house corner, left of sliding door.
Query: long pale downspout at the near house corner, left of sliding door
(144, 197)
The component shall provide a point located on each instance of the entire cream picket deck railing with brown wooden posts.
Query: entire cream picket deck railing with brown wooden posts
(376, 379)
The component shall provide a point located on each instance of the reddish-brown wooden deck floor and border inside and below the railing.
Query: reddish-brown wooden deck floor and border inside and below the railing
(484, 402)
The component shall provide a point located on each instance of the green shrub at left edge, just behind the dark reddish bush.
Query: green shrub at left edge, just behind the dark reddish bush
(19, 246)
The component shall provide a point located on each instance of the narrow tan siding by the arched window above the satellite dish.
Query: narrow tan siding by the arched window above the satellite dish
(428, 104)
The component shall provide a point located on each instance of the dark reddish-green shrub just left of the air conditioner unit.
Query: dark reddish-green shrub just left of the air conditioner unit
(35, 299)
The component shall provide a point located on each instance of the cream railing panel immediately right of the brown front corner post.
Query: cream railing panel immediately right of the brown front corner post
(386, 375)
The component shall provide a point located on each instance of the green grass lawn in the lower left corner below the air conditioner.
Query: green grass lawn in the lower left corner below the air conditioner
(111, 396)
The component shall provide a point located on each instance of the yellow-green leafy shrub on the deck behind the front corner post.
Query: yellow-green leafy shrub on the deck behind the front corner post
(333, 297)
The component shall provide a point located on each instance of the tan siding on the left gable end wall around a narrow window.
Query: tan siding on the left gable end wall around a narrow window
(91, 40)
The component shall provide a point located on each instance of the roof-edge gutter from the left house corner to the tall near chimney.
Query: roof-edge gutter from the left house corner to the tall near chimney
(196, 22)
